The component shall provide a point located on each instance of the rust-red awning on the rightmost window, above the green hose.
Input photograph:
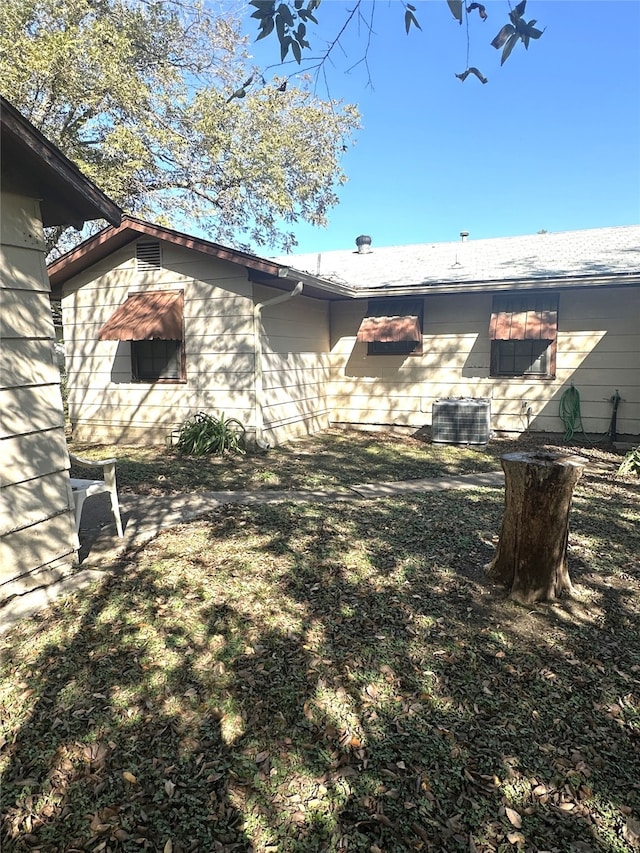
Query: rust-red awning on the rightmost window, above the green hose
(519, 318)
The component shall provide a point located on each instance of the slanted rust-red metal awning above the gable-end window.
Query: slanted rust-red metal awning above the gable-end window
(155, 315)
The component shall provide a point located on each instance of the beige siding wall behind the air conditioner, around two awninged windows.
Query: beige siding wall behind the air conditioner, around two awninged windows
(598, 351)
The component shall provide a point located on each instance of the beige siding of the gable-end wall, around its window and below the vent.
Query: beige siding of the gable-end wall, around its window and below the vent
(105, 404)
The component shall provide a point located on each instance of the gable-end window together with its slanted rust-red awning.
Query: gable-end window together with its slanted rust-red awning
(153, 322)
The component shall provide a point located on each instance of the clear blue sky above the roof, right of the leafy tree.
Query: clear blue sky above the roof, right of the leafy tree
(552, 141)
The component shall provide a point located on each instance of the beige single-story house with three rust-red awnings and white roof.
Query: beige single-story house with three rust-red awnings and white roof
(160, 325)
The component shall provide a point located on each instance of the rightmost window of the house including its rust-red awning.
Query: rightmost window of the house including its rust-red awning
(523, 335)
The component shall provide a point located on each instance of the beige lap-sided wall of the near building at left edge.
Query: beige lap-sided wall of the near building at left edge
(37, 531)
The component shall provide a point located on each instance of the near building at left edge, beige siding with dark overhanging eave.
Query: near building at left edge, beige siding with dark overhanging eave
(39, 187)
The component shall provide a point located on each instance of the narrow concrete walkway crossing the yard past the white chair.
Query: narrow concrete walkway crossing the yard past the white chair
(145, 516)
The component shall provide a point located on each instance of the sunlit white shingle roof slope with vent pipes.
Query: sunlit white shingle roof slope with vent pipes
(589, 254)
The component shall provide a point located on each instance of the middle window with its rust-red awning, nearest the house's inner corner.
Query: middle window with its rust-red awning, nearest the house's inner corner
(393, 327)
